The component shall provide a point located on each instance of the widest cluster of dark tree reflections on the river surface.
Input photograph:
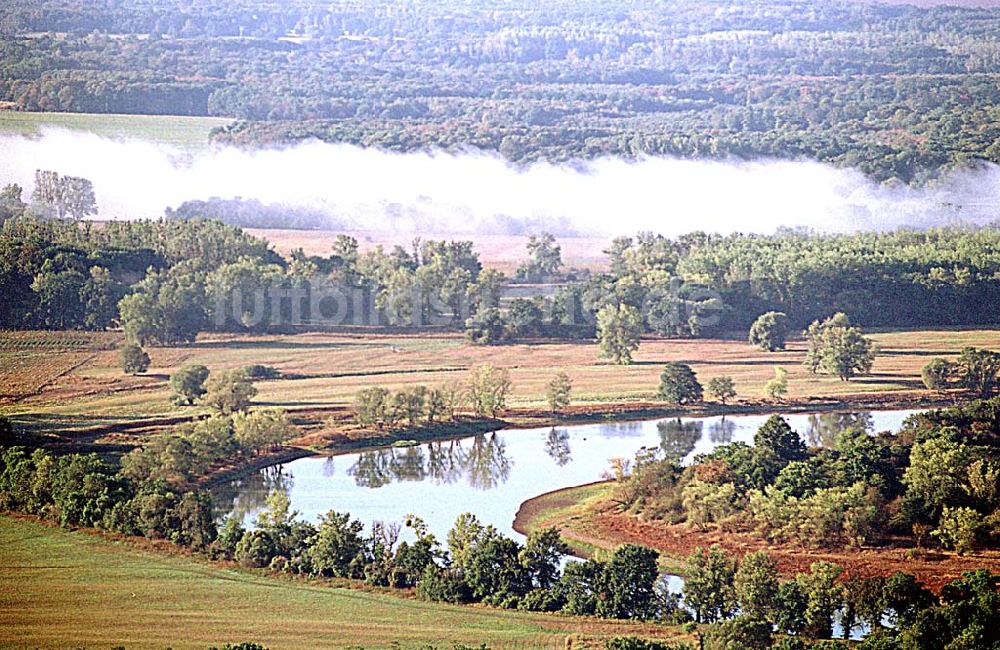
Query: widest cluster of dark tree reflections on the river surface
(481, 461)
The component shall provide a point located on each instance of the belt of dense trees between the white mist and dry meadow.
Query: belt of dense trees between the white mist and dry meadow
(167, 280)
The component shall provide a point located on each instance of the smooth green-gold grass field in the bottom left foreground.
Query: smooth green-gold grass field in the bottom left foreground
(62, 589)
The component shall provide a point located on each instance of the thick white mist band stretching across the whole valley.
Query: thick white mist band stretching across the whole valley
(478, 193)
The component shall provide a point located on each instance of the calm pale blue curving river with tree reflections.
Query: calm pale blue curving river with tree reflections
(491, 474)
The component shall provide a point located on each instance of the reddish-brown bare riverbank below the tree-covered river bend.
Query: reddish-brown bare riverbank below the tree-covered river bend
(589, 521)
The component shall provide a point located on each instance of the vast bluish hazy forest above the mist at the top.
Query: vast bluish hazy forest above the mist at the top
(896, 91)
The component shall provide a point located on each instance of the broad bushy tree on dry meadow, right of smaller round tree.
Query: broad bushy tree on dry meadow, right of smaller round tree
(838, 348)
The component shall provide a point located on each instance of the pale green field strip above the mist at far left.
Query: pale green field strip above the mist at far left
(185, 132)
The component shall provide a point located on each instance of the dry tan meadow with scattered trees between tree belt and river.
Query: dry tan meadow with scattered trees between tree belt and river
(87, 389)
